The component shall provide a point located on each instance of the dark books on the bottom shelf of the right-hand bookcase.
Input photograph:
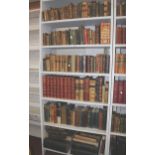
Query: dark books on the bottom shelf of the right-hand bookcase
(118, 145)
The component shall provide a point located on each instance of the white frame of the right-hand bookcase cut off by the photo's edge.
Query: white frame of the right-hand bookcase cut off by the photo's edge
(121, 76)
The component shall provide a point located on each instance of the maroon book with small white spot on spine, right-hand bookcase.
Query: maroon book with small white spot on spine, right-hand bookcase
(120, 92)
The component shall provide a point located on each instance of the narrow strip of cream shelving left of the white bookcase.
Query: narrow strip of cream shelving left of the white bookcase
(34, 103)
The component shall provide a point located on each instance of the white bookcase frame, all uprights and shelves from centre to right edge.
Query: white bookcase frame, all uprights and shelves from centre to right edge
(48, 26)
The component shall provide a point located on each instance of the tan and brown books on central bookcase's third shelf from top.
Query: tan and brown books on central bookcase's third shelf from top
(76, 63)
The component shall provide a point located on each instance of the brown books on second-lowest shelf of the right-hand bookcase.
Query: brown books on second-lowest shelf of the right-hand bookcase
(118, 122)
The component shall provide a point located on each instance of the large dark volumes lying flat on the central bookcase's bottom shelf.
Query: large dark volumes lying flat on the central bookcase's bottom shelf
(82, 143)
